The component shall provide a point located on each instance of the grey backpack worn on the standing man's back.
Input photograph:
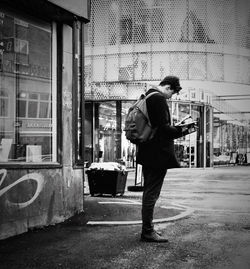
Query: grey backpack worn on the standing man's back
(138, 128)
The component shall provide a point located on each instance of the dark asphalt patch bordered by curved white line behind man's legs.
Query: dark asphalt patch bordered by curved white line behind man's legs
(124, 210)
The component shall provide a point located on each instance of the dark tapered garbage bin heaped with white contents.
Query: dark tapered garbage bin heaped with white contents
(103, 181)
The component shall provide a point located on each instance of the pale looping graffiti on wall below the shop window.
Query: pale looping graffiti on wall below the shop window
(32, 176)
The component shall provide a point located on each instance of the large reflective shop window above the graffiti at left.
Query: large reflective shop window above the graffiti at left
(27, 97)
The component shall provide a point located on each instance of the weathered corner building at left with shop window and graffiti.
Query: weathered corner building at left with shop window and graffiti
(41, 161)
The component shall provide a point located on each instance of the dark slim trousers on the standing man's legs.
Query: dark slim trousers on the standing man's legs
(153, 180)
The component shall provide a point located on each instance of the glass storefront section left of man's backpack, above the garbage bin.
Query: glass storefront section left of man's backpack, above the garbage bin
(104, 139)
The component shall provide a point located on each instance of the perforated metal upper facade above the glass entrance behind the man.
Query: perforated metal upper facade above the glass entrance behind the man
(144, 40)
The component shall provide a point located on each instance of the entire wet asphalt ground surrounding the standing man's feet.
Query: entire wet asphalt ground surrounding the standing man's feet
(205, 213)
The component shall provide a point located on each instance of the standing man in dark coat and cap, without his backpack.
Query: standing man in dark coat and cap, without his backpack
(157, 155)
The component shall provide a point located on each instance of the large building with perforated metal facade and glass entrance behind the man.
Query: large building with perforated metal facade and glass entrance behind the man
(132, 44)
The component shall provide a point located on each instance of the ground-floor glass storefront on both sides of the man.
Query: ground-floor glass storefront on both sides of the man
(105, 140)
